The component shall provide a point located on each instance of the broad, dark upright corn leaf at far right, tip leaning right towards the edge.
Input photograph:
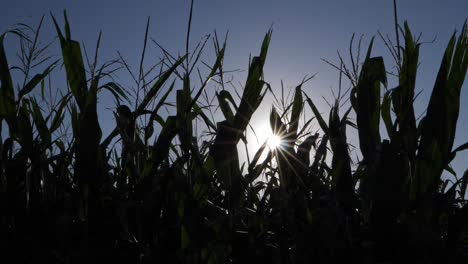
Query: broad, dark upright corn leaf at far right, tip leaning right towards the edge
(438, 132)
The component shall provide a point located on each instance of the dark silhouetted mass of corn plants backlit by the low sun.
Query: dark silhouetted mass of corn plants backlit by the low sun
(173, 189)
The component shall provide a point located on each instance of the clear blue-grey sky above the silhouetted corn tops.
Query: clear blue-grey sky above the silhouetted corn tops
(304, 32)
